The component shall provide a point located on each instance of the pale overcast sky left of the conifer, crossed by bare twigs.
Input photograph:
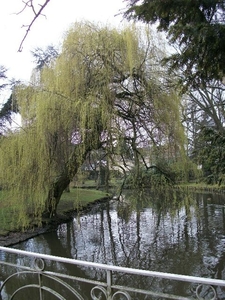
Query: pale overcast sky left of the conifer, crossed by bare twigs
(48, 29)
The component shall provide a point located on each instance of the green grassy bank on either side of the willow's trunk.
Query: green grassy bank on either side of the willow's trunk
(70, 201)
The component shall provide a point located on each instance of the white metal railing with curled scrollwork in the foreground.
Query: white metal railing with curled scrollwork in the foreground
(206, 288)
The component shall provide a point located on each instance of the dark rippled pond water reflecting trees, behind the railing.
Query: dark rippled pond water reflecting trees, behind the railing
(185, 235)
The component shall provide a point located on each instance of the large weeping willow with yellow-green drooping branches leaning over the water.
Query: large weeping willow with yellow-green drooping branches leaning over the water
(106, 90)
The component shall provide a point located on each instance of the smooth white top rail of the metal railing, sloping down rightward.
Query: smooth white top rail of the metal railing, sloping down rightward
(171, 276)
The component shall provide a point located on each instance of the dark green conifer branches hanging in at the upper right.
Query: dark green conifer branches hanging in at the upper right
(197, 30)
